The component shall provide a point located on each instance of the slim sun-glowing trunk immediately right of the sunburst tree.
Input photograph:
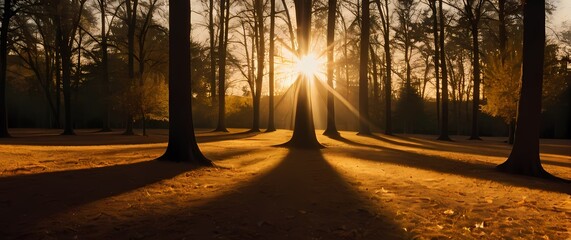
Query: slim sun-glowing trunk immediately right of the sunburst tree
(331, 129)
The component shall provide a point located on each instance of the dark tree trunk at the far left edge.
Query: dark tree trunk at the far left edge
(7, 14)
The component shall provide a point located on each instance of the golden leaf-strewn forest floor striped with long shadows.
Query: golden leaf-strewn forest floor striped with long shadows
(106, 186)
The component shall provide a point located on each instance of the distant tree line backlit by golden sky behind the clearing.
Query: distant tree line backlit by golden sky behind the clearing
(430, 66)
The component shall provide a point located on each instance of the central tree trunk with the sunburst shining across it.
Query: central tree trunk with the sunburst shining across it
(304, 129)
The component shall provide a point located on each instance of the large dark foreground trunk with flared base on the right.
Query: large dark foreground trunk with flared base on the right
(524, 157)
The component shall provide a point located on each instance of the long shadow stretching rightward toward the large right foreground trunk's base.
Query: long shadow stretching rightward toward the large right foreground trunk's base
(473, 169)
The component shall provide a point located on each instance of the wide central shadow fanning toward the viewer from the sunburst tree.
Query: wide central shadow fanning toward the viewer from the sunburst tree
(303, 197)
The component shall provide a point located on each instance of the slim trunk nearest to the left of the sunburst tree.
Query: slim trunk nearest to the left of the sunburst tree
(271, 126)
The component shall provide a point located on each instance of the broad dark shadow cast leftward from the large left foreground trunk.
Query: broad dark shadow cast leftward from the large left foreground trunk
(27, 199)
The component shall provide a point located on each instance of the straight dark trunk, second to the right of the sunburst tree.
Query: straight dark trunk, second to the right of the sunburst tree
(364, 128)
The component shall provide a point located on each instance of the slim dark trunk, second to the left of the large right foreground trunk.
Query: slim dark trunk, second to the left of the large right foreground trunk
(444, 127)
